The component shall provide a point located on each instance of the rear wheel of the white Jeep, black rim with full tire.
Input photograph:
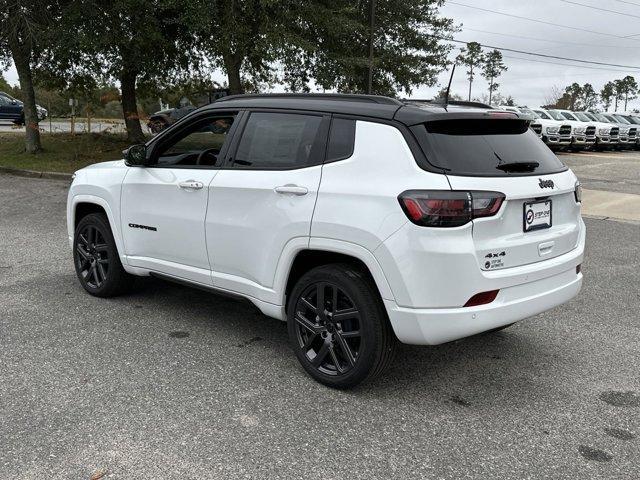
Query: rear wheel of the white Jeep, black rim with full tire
(335, 346)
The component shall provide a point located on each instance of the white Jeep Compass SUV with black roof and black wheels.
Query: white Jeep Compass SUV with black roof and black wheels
(358, 220)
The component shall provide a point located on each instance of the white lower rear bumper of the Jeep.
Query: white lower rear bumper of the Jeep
(436, 326)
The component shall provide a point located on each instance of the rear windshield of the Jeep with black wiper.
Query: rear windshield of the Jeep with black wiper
(482, 147)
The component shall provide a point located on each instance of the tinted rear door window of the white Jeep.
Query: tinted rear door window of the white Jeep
(279, 140)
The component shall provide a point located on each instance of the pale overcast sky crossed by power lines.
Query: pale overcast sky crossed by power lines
(580, 33)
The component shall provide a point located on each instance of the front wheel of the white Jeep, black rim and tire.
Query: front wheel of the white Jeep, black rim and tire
(96, 258)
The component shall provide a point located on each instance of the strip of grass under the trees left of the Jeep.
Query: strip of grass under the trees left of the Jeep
(62, 152)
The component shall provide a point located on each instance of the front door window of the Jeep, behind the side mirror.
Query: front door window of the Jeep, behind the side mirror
(199, 145)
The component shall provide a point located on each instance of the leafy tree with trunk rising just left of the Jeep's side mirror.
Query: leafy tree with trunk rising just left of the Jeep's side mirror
(128, 41)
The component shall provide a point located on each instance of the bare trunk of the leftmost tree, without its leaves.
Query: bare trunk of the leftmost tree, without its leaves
(21, 59)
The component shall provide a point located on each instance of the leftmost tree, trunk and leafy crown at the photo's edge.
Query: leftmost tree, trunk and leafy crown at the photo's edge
(25, 27)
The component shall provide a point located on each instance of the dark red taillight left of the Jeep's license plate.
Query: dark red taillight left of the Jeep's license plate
(442, 208)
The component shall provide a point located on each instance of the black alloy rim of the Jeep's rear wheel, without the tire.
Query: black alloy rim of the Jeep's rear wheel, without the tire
(328, 328)
